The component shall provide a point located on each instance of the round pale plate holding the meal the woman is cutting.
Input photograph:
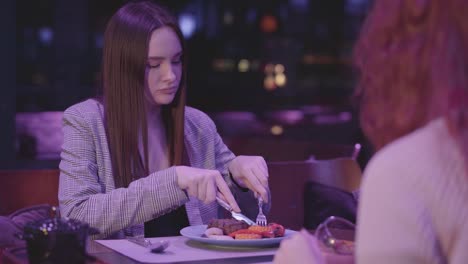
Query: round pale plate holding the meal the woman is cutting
(197, 233)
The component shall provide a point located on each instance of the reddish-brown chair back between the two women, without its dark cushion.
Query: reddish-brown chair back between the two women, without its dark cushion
(289, 180)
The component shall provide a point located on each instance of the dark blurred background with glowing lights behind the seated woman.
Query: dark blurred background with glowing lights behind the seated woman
(58, 59)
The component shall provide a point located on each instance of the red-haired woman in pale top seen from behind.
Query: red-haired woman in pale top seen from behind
(412, 58)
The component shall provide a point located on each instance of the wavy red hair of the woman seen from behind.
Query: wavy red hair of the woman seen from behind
(412, 57)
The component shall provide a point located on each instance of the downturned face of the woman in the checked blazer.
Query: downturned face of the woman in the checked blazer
(164, 66)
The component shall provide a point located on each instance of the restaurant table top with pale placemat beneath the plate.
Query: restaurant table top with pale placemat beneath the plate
(181, 250)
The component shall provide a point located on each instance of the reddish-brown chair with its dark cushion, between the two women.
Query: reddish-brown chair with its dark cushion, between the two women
(305, 193)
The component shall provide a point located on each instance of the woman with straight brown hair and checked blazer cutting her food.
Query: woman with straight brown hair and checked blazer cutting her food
(136, 160)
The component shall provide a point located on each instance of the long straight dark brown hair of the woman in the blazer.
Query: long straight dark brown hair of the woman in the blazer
(123, 74)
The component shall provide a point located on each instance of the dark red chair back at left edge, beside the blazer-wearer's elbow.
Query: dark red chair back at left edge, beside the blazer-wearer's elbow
(23, 188)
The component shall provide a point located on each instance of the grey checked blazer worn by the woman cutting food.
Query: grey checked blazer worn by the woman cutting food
(86, 186)
